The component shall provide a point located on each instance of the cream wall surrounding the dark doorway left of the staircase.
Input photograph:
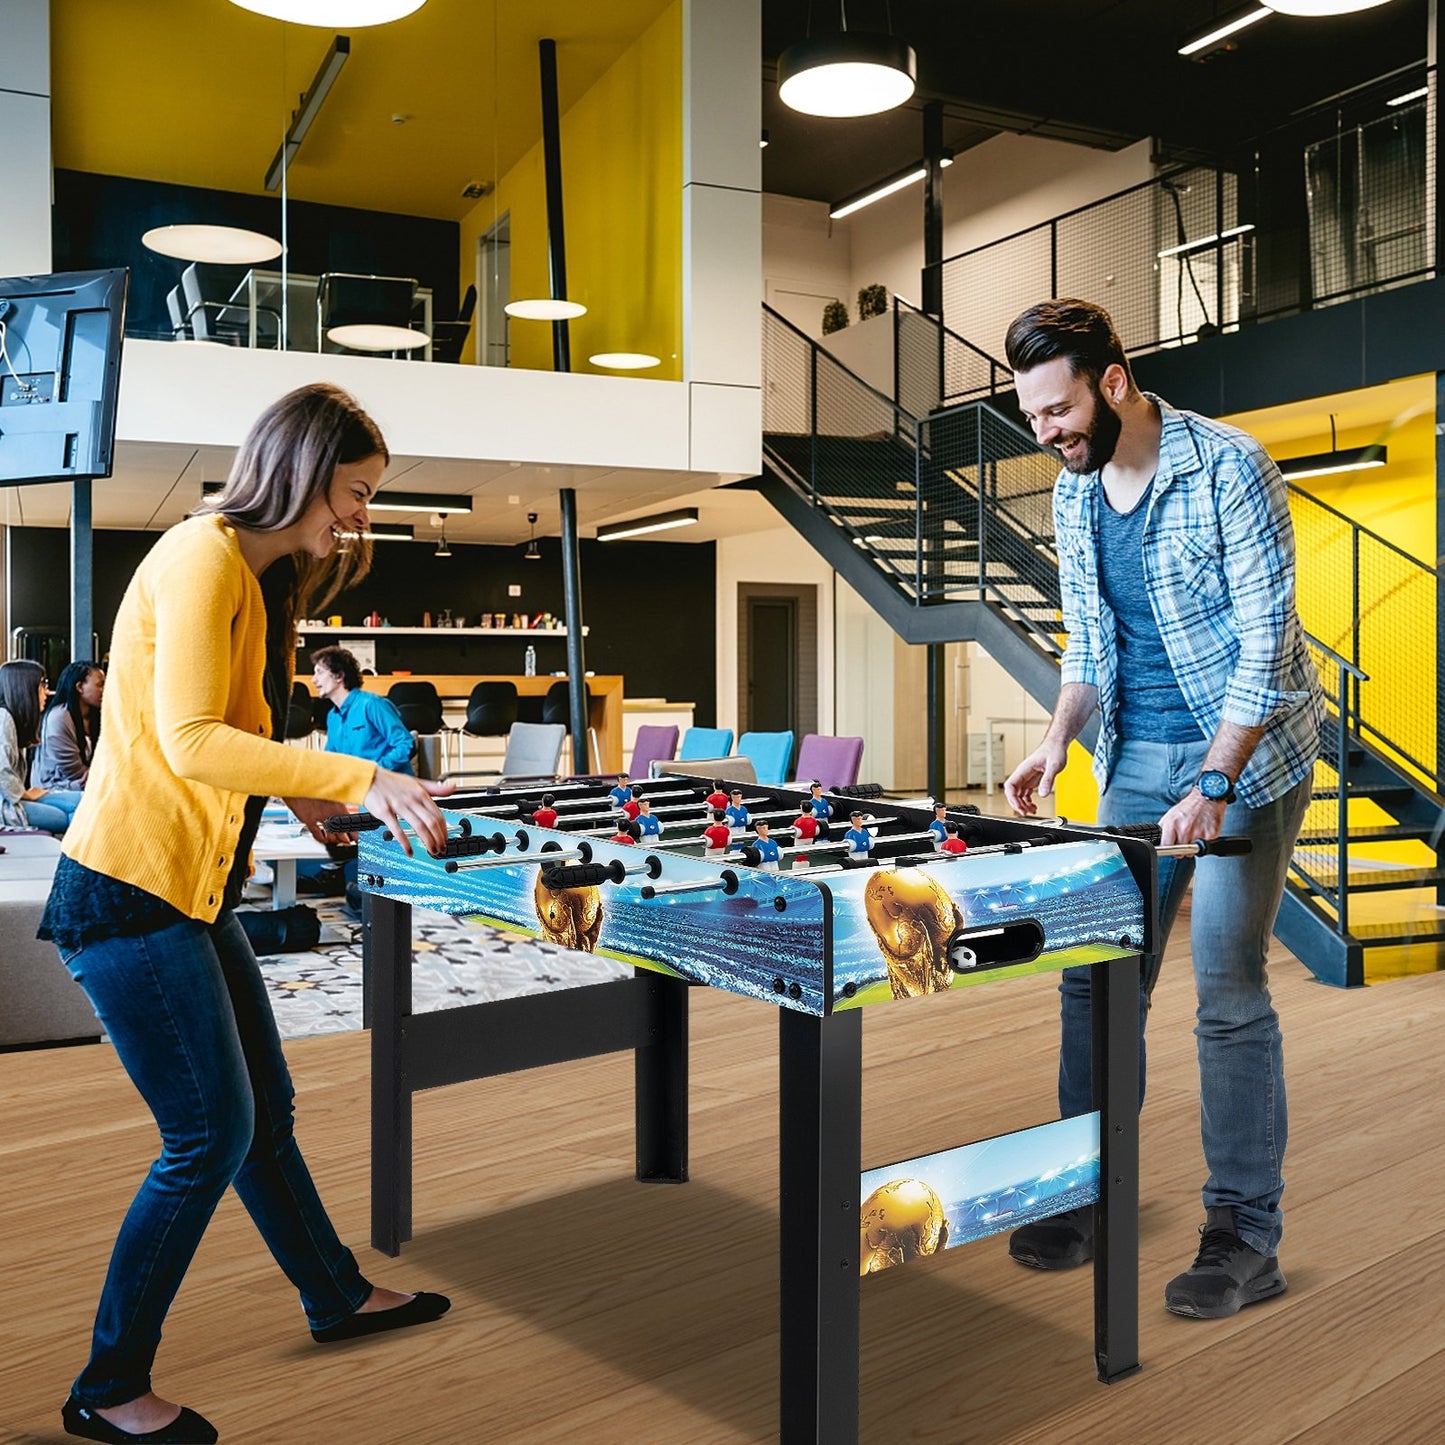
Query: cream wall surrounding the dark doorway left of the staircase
(778, 556)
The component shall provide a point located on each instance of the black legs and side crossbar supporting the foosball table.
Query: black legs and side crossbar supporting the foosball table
(820, 1139)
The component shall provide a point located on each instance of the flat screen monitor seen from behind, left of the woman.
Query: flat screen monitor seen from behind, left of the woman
(60, 375)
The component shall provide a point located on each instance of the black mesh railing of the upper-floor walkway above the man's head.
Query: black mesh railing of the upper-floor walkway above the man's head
(1334, 206)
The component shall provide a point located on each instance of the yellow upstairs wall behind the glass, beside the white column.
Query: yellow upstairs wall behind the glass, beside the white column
(622, 196)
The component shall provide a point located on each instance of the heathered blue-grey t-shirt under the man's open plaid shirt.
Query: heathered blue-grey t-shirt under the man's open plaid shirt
(1151, 706)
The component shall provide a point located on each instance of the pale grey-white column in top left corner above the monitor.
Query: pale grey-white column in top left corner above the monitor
(25, 124)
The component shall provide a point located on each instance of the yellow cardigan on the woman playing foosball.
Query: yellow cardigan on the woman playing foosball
(187, 729)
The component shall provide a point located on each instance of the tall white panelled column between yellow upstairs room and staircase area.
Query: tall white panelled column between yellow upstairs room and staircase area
(722, 228)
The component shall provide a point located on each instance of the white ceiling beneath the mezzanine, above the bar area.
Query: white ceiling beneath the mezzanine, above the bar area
(157, 485)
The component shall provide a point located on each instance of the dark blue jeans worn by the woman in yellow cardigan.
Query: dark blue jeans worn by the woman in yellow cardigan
(189, 1015)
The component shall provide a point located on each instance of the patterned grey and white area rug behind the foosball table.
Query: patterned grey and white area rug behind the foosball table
(456, 963)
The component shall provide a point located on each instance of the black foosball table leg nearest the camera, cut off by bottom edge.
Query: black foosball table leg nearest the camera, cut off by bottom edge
(820, 1164)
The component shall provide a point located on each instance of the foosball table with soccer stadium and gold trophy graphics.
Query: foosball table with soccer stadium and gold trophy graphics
(823, 931)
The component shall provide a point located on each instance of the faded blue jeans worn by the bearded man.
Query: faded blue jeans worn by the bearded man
(1242, 1061)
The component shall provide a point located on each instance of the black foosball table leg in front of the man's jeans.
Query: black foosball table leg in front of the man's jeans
(1115, 1006)
